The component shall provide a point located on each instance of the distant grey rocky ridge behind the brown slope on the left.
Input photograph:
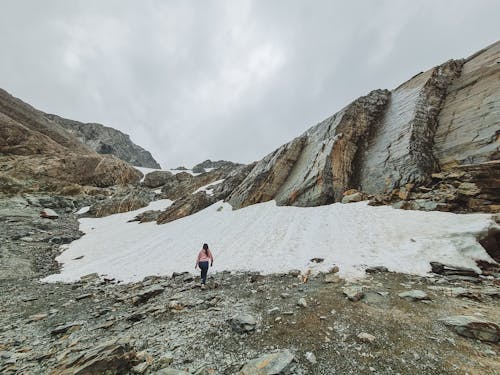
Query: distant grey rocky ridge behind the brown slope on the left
(106, 140)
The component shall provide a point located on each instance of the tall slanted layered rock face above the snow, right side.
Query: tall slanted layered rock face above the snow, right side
(392, 142)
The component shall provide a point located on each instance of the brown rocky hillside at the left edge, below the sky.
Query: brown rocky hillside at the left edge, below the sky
(37, 154)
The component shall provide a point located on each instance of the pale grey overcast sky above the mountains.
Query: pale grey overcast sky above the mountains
(196, 80)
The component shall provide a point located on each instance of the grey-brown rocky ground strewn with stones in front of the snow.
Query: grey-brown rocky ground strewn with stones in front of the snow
(243, 323)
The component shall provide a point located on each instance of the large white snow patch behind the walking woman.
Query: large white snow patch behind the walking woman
(270, 239)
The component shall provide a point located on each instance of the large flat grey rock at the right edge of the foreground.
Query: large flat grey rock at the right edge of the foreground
(473, 327)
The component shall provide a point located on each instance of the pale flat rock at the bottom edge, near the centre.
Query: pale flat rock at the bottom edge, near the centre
(269, 364)
